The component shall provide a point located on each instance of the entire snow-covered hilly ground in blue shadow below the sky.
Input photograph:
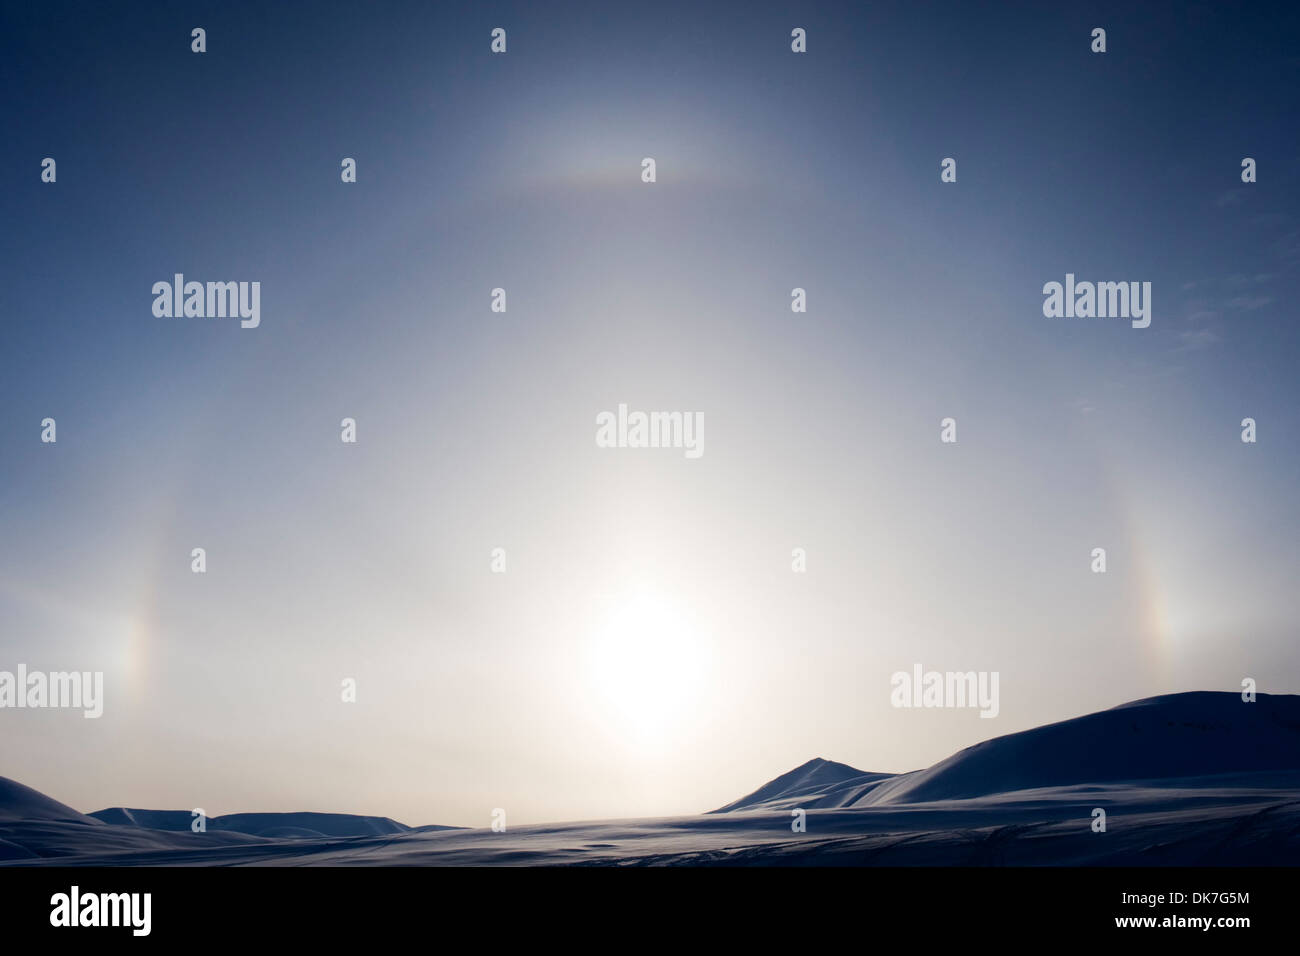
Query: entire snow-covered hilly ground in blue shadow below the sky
(1185, 780)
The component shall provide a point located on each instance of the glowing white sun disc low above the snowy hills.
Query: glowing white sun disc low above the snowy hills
(649, 668)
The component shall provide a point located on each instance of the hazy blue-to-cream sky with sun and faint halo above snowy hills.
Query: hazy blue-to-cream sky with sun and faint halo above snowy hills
(649, 650)
